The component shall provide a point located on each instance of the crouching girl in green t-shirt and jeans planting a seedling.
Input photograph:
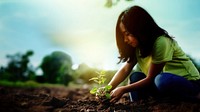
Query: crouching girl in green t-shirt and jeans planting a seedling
(160, 67)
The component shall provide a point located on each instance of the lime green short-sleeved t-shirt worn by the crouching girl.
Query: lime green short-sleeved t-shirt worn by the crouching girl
(167, 50)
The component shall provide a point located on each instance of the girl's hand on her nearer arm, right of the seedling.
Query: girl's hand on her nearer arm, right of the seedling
(116, 94)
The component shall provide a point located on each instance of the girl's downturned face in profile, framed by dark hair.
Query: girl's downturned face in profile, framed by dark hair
(128, 38)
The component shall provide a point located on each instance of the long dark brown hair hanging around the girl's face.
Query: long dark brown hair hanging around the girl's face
(141, 25)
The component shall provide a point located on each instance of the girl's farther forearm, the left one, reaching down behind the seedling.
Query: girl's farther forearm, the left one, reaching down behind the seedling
(121, 74)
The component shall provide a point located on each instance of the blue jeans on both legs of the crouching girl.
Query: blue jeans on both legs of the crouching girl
(165, 84)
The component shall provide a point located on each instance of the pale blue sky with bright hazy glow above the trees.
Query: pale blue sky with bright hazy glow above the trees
(85, 29)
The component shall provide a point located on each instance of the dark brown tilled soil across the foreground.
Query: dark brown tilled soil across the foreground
(63, 99)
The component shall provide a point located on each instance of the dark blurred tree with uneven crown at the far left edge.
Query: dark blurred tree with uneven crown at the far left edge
(18, 68)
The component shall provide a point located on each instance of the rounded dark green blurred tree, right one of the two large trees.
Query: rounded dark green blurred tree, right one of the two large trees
(56, 68)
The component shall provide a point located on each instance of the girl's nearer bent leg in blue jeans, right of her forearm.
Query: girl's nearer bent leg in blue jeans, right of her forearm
(170, 84)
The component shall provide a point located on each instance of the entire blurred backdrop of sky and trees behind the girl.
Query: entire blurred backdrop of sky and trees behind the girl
(63, 41)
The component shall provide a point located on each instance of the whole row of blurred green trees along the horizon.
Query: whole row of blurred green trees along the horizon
(56, 69)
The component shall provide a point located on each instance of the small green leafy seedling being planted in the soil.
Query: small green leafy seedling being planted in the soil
(101, 91)
